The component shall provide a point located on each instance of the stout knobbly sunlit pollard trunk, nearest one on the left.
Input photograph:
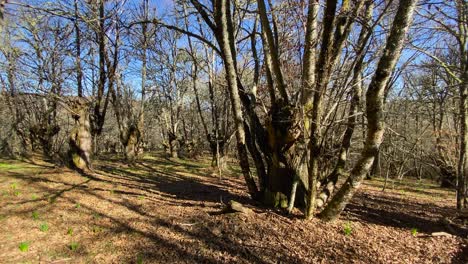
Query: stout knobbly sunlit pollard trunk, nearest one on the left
(80, 137)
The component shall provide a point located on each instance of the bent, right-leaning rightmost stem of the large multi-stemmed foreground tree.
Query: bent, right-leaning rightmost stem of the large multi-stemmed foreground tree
(374, 110)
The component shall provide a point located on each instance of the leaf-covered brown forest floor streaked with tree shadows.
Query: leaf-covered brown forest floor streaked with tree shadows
(167, 211)
